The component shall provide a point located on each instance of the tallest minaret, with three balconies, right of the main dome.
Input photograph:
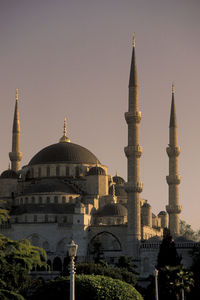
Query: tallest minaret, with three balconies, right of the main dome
(133, 153)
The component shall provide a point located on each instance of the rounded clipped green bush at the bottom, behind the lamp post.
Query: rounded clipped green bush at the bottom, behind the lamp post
(90, 287)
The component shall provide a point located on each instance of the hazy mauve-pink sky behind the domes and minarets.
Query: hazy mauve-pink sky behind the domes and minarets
(71, 58)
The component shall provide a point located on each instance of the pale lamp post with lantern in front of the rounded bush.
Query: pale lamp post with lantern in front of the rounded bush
(72, 250)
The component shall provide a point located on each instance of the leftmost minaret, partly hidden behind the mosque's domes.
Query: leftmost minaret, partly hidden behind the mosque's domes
(16, 155)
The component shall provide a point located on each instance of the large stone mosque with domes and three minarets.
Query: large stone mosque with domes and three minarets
(65, 192)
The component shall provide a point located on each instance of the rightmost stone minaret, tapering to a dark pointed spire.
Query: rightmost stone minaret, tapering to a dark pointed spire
(173, 180)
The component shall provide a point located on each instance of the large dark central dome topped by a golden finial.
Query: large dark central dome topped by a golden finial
(64, 153)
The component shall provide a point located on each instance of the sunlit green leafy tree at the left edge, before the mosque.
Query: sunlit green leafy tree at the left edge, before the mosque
(17, 258)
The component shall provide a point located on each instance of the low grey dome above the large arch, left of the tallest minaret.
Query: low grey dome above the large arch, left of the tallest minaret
(112, 210)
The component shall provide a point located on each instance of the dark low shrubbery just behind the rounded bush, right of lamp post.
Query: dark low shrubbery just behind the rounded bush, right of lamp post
(99, 269)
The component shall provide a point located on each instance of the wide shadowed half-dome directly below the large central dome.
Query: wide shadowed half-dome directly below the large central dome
(49, 186)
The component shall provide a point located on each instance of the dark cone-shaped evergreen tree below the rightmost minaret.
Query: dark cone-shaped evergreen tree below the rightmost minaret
(168, 255)
